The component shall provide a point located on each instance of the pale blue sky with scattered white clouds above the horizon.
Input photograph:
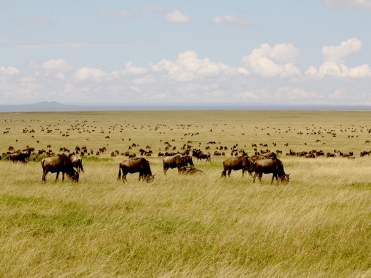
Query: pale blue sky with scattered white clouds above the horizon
(186, 52)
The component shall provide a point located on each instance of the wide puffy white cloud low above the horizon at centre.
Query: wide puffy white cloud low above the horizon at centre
(189, 67)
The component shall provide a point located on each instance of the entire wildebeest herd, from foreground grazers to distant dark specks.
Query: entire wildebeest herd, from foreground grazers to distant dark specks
(262, 161)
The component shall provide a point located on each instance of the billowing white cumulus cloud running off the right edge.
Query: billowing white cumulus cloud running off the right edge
(334, 65)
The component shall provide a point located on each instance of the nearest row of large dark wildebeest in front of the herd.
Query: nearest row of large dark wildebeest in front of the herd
(71, 165)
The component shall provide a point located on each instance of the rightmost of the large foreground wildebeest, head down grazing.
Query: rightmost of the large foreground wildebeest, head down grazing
(270, 166)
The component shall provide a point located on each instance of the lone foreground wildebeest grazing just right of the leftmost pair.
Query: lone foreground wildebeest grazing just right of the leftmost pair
(135, 165)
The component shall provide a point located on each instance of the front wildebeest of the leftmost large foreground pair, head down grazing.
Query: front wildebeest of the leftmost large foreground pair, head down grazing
(59, 163)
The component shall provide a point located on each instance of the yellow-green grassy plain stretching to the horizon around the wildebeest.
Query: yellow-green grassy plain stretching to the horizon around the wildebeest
(318, 225)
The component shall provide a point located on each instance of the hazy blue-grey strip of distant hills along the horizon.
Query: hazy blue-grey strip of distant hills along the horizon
(53, 106)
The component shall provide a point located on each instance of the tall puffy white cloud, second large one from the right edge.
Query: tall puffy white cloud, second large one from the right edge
(261, 60)
